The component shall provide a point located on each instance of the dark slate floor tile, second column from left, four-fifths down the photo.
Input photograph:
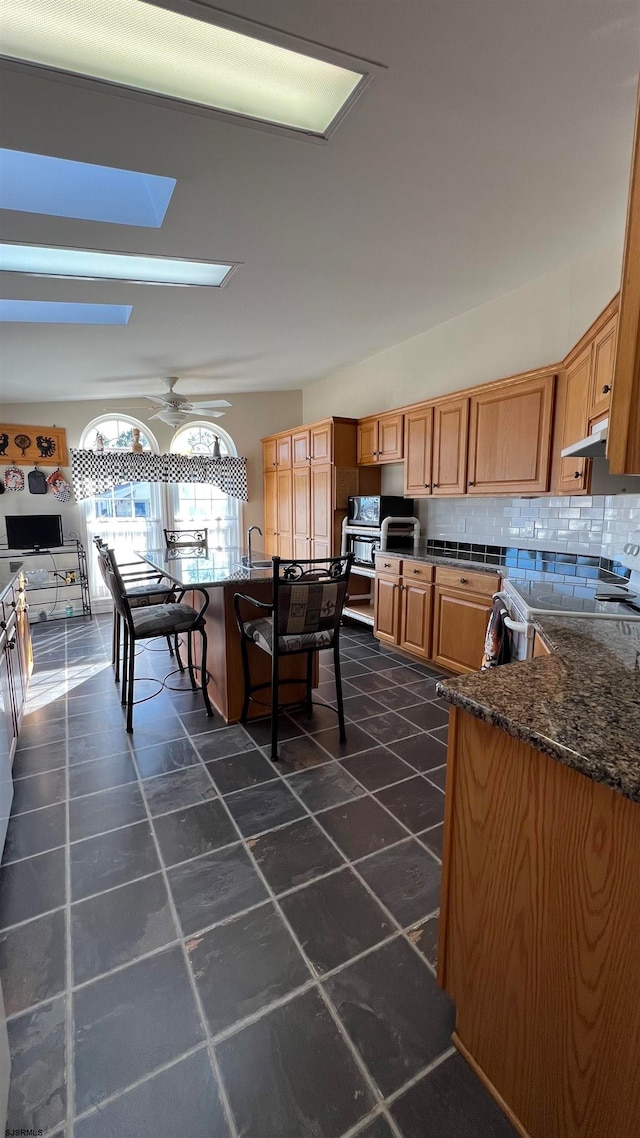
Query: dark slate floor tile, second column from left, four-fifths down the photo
(114, 928)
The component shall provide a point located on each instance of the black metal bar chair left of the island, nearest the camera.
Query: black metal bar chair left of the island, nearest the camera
(147, 622)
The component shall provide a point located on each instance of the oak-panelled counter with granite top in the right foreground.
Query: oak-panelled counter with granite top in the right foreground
(540, 919)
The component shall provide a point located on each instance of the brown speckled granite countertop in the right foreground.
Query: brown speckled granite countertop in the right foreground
(580, 705)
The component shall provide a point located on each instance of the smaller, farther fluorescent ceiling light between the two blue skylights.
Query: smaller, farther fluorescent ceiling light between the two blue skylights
(87, 265)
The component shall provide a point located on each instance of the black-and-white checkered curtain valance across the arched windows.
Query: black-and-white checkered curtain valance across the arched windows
(94, 474)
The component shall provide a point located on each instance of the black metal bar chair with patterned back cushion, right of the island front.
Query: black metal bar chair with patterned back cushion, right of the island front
(308, 604)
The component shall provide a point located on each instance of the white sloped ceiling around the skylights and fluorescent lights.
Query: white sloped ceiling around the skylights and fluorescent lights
(494, 150)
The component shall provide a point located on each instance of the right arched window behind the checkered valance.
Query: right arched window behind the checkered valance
(203, 505)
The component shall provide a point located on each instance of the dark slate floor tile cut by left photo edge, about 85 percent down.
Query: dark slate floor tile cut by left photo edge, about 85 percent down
(34, 962)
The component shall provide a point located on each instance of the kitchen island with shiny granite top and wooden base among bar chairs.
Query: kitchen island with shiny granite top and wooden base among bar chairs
(220, 574)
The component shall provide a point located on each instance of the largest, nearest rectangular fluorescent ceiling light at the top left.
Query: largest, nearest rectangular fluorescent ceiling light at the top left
(150, 48)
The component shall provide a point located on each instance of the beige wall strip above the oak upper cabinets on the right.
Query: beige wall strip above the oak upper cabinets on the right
(529, 328)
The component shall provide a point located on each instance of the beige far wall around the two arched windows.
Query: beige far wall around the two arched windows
(250, 418)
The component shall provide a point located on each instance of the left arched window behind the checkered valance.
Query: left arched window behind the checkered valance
(130, 516)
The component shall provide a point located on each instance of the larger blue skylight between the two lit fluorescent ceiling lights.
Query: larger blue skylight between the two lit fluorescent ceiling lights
(61, 188)
